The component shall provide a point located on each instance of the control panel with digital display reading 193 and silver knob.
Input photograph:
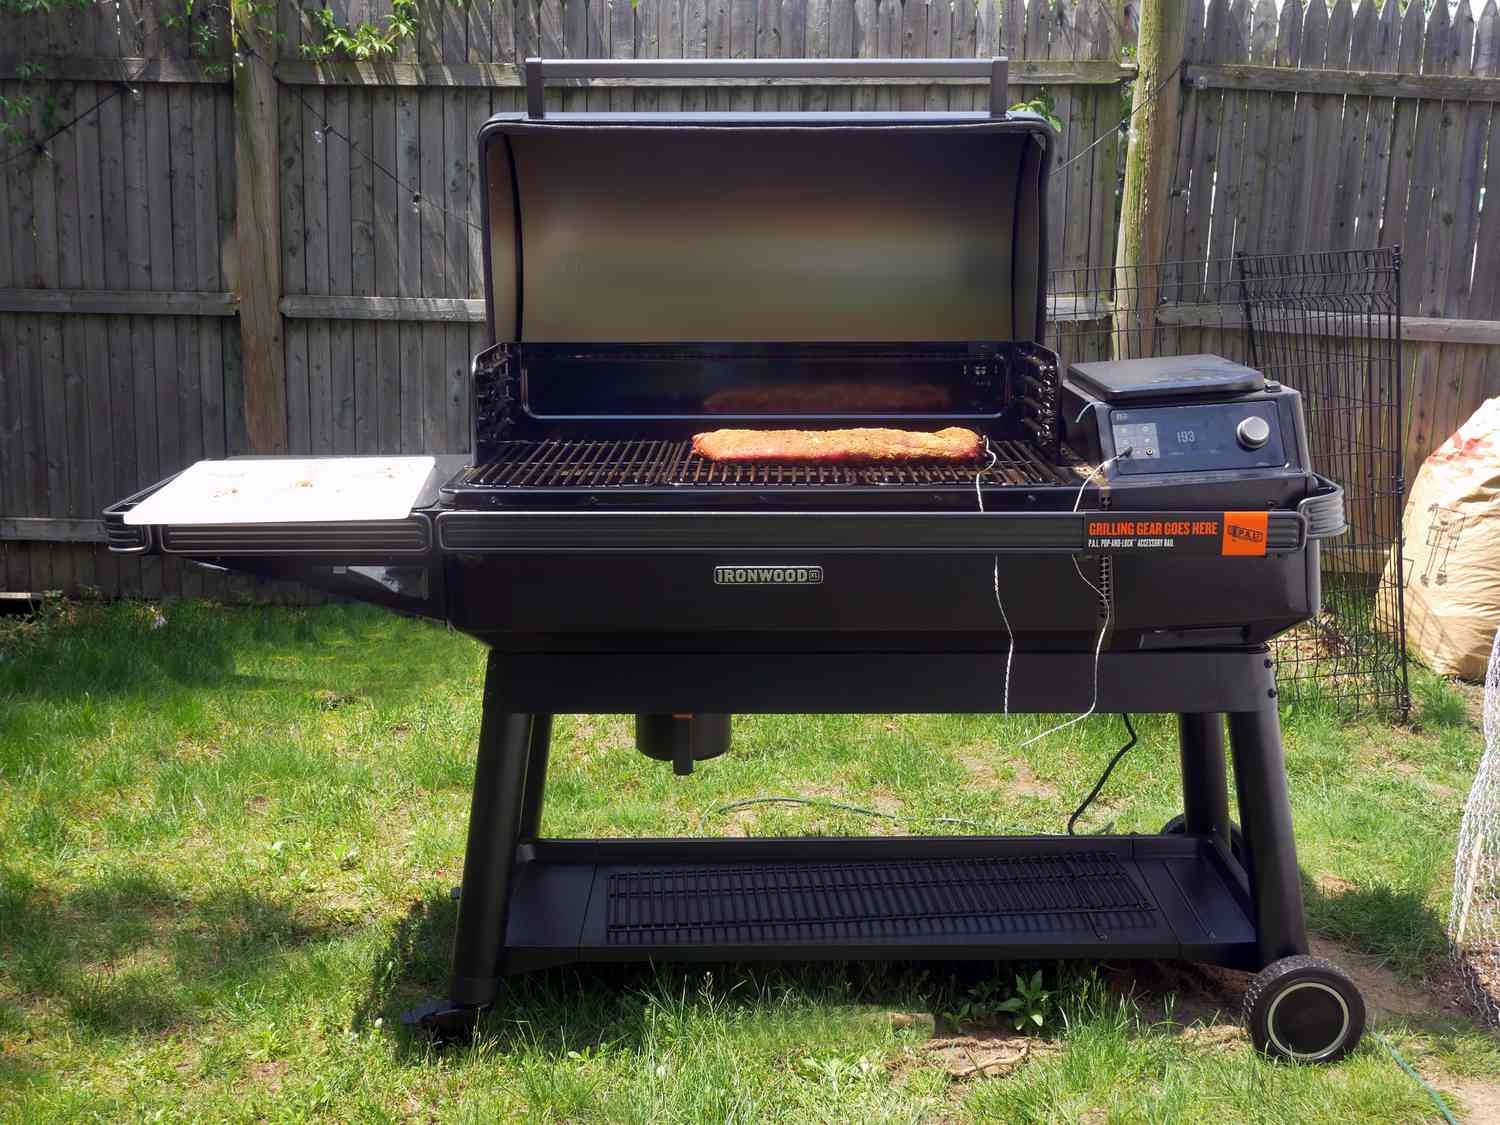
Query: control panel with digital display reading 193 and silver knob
(1229, 436)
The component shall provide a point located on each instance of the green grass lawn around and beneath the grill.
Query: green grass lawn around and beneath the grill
(229, 839)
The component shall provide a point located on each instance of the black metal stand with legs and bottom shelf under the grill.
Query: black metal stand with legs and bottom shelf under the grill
(529, 902)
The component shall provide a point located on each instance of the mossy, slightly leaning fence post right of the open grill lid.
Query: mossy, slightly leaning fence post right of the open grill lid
(1150, 160)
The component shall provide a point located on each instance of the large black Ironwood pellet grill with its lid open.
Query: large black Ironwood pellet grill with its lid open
(1133, 538)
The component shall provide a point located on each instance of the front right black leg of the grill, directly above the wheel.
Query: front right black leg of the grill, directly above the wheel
(1265, 811)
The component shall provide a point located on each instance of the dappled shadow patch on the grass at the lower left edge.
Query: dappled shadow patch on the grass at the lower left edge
(128, 953)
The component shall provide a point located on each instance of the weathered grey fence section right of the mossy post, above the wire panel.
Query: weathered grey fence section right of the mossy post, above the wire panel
(1340, 128)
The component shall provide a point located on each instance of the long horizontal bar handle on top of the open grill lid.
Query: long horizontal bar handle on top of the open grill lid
(541, 70)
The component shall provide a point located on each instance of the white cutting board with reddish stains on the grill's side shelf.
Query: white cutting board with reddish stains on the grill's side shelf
(287, 491)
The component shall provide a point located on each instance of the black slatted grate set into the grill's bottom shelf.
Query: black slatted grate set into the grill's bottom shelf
(811, 902)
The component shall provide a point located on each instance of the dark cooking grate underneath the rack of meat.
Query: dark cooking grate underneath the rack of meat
(647, 464)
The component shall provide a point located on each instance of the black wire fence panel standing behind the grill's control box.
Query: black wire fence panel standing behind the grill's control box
(1330, 326)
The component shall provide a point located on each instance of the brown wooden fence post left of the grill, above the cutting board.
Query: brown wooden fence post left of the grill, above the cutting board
(257, 233)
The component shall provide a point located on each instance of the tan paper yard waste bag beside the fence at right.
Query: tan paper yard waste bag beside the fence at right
(1453, 551)
